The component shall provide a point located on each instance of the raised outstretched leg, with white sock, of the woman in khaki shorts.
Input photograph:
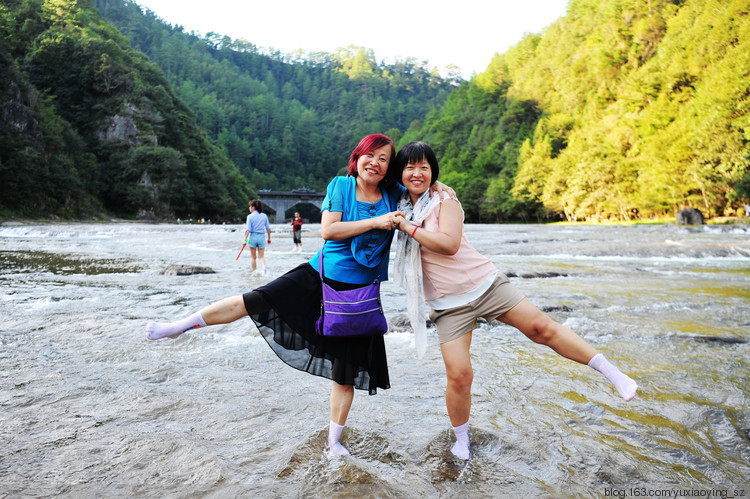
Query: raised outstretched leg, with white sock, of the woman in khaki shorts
(539, 328)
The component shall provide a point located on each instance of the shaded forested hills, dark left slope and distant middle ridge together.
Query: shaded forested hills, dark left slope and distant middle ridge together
(178, 125)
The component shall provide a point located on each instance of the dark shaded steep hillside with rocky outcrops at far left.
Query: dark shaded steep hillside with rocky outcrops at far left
(89, 124)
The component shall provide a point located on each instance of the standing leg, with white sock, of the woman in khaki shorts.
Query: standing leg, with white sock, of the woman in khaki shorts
(458, 392)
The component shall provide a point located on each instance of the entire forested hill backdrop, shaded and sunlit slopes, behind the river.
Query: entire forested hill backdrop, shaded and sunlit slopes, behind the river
(620, 109)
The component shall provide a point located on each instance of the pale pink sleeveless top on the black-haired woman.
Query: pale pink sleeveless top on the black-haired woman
(452, 274)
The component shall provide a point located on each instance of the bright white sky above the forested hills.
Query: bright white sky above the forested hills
(464, 33)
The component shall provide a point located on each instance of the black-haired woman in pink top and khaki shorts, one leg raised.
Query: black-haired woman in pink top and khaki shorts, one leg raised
(460, 285)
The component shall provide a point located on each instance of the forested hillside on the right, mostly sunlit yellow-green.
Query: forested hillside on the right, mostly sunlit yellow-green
(620, 109)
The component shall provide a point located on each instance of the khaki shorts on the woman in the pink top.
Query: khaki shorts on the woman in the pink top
(456, 322)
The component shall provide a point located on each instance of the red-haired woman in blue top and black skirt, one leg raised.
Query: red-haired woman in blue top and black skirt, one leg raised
(358, 220)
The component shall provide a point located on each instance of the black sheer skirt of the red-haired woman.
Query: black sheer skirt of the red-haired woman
(285, 311)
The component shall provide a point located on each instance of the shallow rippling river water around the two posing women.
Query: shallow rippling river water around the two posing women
(90, 408)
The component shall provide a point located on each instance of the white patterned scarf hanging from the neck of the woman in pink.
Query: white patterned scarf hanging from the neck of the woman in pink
(408, 263)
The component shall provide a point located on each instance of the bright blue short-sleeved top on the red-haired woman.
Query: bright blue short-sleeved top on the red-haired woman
(363, 258)
